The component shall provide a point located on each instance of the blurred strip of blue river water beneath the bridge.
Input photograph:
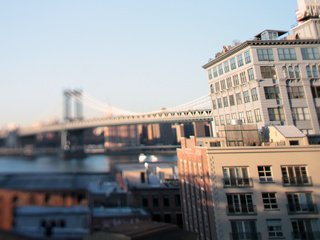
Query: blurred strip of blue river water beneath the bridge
(93, 163)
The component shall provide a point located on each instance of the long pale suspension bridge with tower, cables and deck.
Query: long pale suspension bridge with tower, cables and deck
(195, 110)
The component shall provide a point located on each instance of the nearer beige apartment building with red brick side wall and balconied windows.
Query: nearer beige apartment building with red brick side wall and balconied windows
(259, 192)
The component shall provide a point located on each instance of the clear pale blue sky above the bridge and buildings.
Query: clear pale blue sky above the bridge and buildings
(138, 55)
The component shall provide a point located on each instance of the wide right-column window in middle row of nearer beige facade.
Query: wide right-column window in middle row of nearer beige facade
(300, 202)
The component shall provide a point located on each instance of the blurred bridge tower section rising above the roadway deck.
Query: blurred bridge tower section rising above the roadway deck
(73, 97)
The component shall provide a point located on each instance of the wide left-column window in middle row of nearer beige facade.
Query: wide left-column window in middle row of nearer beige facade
(240, 204)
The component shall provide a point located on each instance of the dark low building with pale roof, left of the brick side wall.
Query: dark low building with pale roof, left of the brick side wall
(154, 187)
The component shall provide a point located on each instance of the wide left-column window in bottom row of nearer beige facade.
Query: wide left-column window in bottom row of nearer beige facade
(243, 229)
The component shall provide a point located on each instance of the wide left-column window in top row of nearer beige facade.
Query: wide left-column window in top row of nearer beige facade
(236, 177)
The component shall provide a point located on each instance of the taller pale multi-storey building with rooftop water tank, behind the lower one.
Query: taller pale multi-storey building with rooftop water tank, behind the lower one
(271, 80)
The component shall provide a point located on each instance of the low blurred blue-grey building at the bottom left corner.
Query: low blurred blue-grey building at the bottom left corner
(52, 222)
